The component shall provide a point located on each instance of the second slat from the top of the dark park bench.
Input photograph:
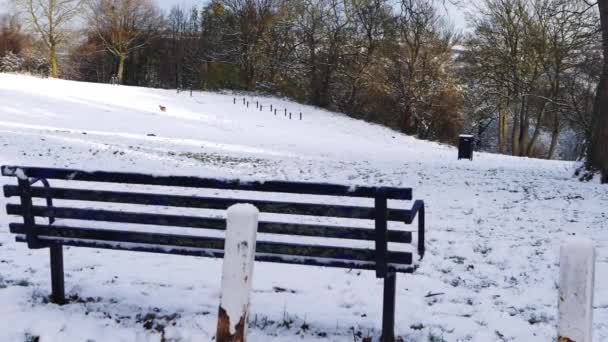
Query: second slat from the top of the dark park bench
(311, 209)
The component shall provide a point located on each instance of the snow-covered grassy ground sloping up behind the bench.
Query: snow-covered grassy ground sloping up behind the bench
(494, 224)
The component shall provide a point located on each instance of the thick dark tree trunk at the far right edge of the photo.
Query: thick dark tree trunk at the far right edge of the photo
(598, 151)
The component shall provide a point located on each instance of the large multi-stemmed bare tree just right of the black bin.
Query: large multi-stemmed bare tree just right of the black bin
(521, 53)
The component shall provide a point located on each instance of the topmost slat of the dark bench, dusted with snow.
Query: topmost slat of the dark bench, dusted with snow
(196, 182)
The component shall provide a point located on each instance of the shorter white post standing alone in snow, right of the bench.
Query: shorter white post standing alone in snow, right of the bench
(576, 281)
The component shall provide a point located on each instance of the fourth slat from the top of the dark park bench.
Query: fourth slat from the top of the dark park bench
(212, 243)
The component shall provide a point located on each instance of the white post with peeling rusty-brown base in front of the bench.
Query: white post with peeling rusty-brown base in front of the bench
(237, 272)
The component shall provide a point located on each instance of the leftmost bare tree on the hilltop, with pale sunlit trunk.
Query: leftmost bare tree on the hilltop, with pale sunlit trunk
(50, 20)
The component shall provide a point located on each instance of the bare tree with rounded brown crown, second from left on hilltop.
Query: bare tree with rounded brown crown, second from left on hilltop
(123, 26)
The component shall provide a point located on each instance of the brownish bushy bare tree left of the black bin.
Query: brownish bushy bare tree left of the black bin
(417, 74)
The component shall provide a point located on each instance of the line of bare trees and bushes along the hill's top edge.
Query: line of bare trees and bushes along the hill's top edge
(523, 79)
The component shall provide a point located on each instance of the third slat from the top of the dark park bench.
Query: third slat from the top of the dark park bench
(208, 223)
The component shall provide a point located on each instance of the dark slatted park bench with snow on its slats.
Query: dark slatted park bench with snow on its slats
(76, 186)
